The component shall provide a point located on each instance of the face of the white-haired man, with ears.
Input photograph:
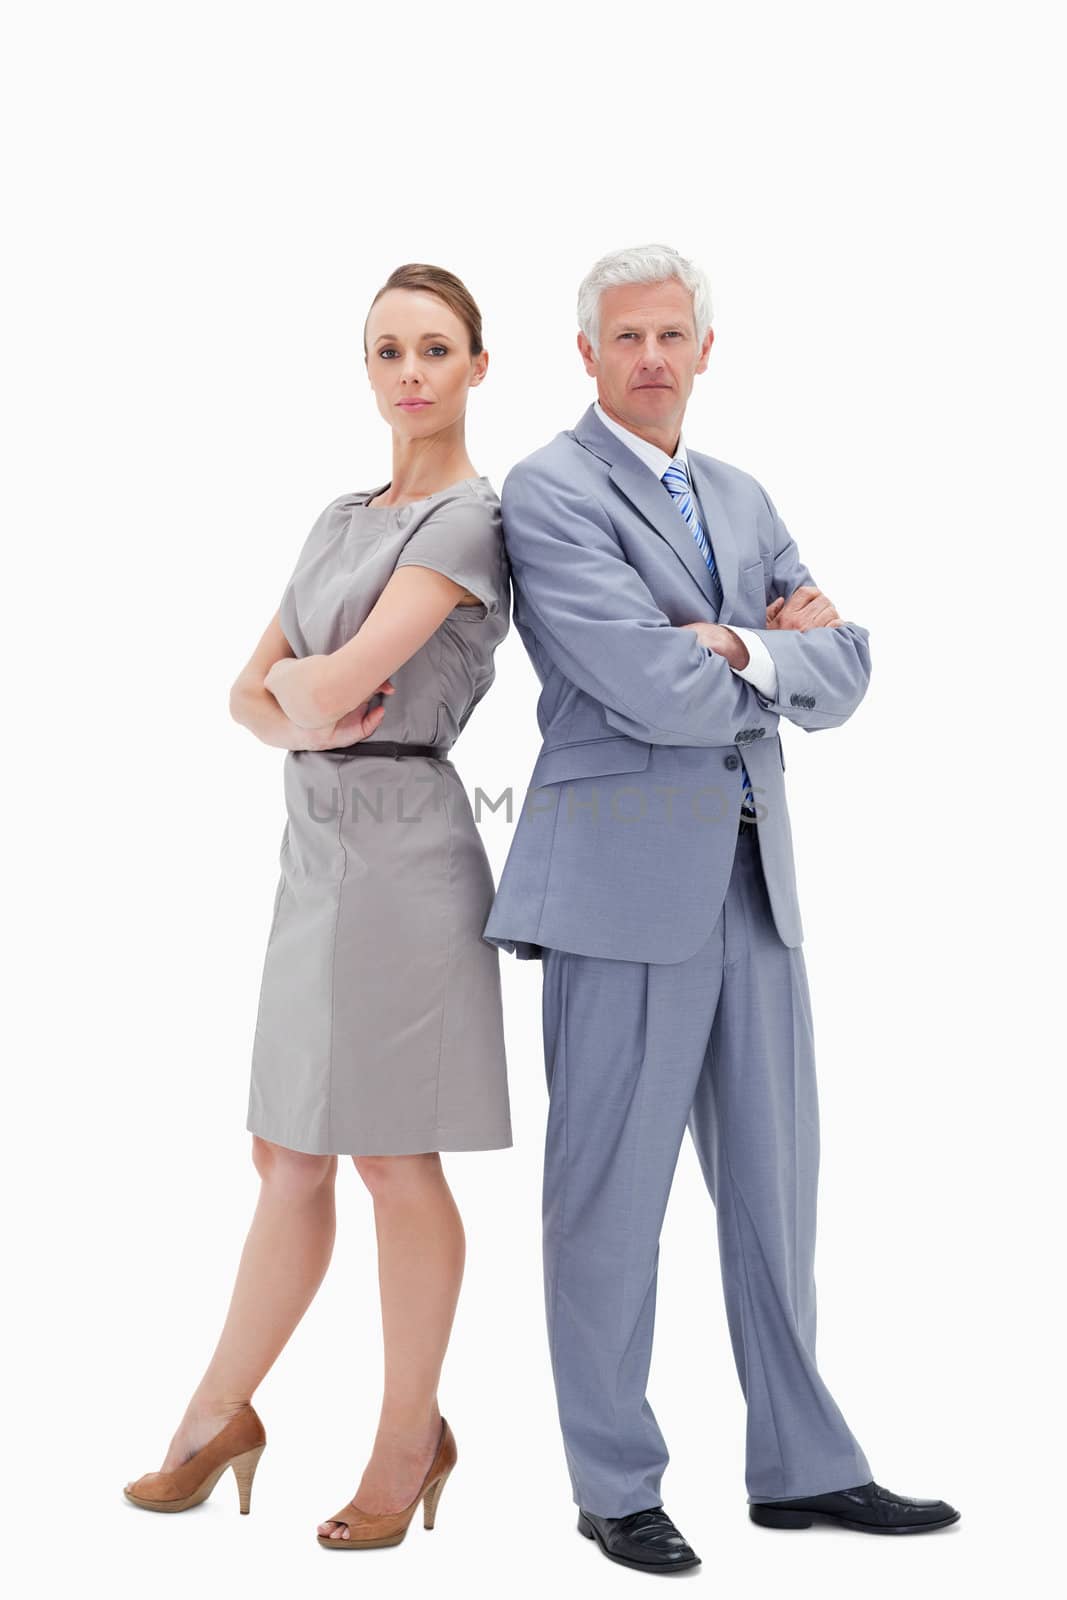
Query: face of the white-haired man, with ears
(649, 358)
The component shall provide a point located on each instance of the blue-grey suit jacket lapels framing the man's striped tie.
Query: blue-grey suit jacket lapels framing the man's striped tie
(653, 502)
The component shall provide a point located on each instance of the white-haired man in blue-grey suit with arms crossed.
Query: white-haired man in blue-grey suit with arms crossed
(671, 623)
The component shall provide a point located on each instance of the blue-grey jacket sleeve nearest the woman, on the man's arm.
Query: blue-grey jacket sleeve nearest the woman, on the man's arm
(601, 626)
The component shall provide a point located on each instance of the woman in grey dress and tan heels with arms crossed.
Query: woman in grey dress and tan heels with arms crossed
(380, 1031)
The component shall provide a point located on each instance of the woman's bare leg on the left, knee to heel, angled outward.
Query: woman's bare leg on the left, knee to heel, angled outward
(284, 1262)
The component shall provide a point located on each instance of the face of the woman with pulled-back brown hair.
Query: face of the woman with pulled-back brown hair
(420, 364)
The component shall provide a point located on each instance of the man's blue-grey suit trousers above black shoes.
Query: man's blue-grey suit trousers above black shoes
(636, 1052)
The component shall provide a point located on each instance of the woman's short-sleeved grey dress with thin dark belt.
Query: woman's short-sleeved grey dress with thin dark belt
(380, 1026)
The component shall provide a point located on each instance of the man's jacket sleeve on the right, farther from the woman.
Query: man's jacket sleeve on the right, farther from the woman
(823, 674)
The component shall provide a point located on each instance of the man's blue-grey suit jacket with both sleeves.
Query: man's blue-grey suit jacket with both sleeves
(628, 831)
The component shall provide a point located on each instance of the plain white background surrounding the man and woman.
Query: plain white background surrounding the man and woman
(206, 201)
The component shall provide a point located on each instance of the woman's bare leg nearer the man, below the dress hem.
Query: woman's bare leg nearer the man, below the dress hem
(420, 1268)
